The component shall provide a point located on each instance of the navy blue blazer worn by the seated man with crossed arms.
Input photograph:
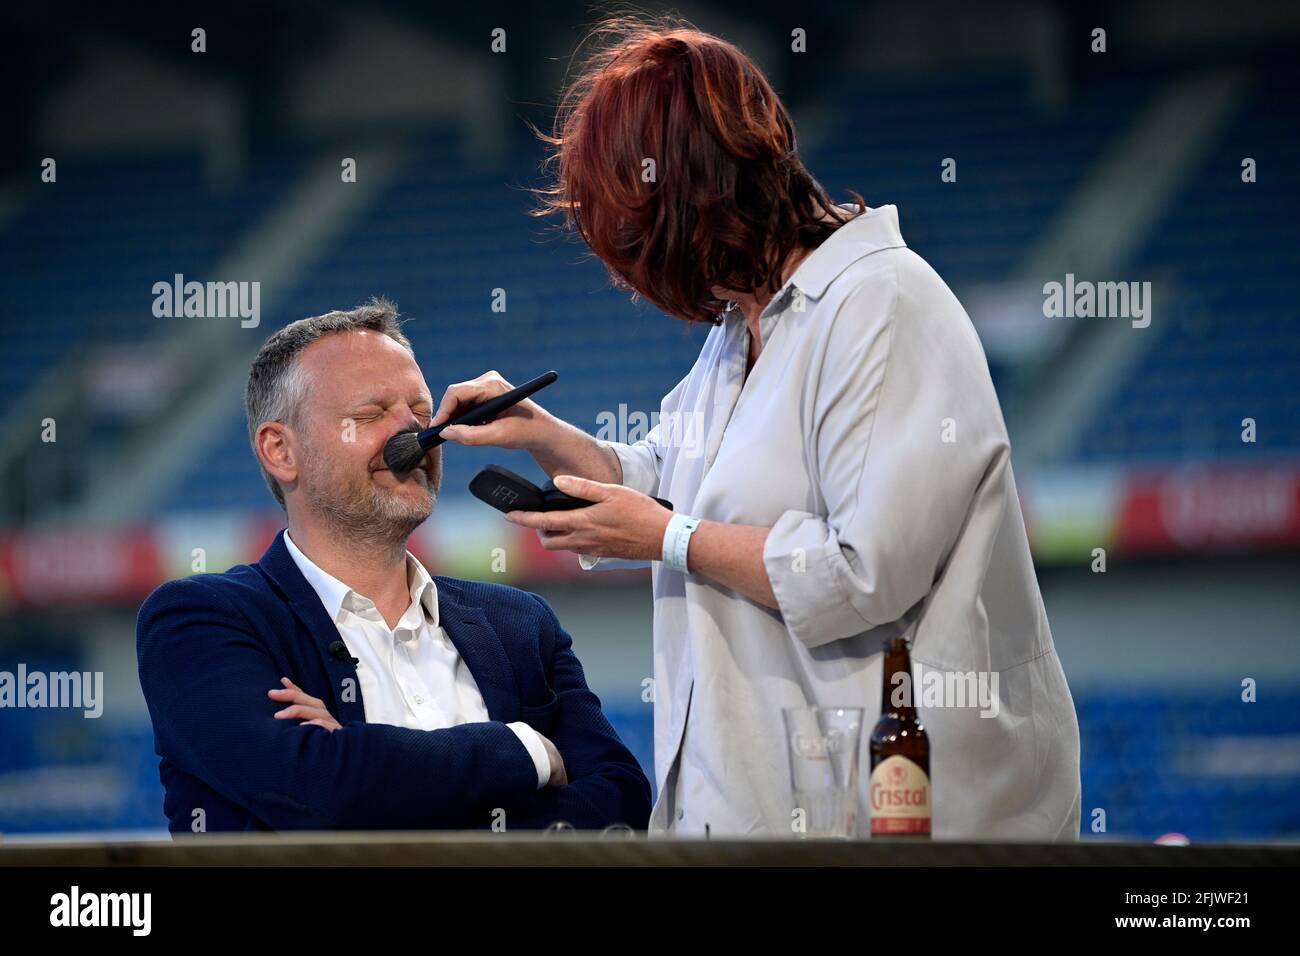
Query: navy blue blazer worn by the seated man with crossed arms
(210, 647)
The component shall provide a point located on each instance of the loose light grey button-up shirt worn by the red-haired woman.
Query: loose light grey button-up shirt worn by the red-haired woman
(870, 440)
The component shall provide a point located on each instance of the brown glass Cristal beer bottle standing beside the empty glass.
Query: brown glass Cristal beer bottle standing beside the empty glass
(900, 754)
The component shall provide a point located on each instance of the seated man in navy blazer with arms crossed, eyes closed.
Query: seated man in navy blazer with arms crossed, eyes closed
(337, 684)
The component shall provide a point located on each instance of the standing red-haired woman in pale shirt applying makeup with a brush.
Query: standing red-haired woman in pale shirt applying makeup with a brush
(837, 457)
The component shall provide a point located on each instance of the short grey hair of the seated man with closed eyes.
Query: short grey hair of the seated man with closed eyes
(278, 386)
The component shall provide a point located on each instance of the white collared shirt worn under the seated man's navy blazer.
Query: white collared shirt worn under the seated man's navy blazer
(411, 676)
